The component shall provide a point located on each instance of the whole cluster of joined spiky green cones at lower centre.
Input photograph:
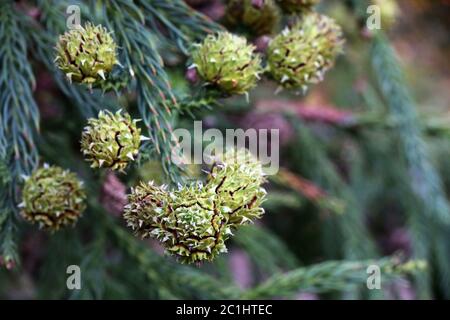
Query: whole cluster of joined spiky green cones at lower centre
(194, 221)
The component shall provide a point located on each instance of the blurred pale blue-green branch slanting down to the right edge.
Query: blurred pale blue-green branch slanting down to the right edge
(424, 180)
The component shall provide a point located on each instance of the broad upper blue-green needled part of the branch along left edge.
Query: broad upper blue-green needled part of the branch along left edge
(20, 115)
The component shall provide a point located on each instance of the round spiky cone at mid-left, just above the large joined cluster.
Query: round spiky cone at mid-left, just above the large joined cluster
(111, 140)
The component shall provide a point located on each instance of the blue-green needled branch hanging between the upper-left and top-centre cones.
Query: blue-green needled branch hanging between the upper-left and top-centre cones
(156, 102)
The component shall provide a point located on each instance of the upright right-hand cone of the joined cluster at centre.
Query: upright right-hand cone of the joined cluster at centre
(236, 178)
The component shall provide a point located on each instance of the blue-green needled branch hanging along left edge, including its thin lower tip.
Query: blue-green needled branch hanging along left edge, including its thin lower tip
(19, 118)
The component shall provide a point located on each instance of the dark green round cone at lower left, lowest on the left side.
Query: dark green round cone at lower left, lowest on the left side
(53, 198)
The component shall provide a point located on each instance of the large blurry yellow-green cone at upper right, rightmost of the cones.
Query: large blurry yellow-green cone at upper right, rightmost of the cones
(301, 56)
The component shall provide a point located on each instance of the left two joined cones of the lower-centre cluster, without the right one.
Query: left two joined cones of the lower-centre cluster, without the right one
(186, 221)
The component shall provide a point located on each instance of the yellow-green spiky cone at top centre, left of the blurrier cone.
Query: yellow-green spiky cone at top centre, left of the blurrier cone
(227, 62)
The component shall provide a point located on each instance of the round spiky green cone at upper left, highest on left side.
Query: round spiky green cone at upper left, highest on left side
(86, 54)
